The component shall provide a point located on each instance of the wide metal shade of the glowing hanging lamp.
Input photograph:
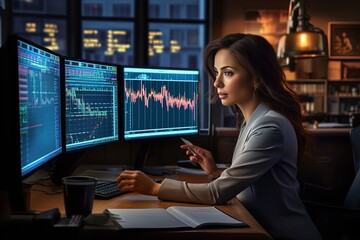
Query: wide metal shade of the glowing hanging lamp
(303, 44)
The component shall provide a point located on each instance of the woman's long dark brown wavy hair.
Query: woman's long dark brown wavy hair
(256, 55)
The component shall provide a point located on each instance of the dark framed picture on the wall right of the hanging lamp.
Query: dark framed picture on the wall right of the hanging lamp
(344, 40)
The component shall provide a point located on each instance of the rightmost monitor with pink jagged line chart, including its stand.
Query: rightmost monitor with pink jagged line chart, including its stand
(159, 102)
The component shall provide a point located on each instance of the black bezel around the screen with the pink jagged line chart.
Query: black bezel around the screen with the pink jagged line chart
(158, 137)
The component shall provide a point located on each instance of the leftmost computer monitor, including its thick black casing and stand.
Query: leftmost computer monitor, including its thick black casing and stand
(31, 102)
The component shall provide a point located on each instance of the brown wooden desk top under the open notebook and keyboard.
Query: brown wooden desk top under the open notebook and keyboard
(41, 202)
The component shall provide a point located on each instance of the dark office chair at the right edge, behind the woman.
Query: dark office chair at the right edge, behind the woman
(341, 222)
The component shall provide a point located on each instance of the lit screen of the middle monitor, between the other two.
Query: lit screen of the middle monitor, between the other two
(91, 103)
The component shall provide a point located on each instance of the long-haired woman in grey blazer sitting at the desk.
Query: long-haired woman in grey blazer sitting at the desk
(263, 173)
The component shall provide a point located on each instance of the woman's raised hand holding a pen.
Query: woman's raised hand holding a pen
(203, 157)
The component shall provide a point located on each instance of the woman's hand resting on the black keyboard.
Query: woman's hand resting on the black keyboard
(137, 181)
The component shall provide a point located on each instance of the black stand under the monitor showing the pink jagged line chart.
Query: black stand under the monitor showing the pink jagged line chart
(140, 160)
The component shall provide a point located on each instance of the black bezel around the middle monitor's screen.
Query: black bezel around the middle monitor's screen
(119, 103)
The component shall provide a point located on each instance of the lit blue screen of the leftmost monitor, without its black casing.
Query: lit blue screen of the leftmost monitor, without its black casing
(39, 105)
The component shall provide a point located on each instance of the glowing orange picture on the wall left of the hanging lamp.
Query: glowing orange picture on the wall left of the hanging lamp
(269, 23)
